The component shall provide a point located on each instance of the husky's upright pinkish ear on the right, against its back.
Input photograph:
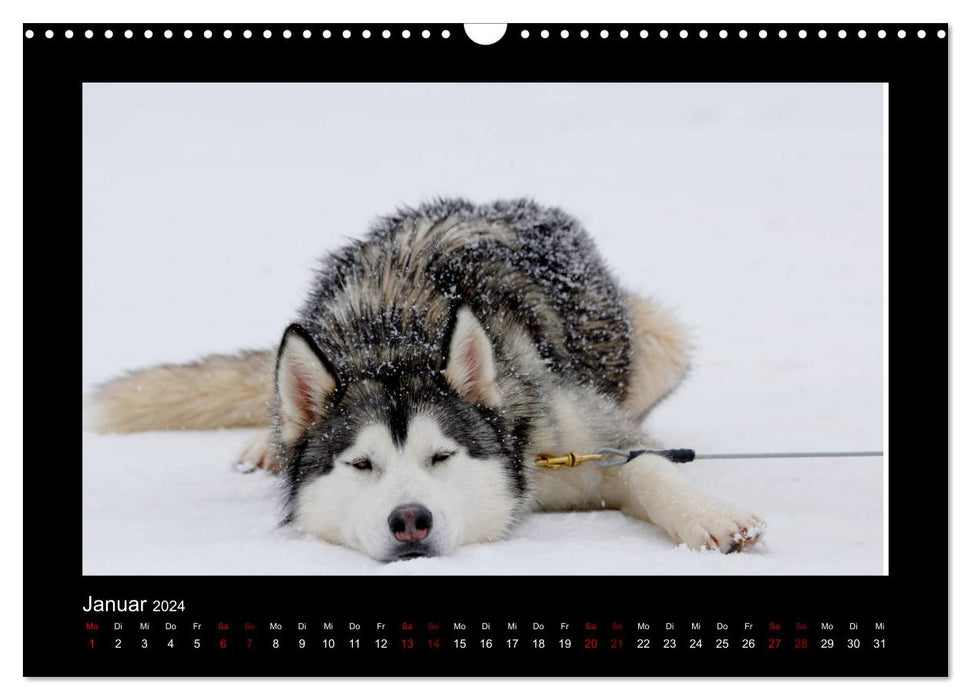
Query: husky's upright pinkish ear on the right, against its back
(471, 365)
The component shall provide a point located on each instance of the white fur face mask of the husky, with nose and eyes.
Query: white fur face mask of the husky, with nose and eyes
(422, 498)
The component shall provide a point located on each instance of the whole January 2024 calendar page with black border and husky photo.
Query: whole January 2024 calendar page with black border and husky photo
(487, 350)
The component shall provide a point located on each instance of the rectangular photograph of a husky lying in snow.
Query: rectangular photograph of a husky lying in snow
(346, 329)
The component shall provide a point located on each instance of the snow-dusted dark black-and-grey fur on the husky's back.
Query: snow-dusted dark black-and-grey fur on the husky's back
(387, 299)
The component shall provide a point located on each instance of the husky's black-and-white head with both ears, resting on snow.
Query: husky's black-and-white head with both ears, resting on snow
(399, 463)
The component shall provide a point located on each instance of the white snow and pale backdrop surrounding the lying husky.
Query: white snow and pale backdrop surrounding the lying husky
(754, 210)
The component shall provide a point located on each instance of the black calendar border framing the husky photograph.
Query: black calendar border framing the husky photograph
(913, 599)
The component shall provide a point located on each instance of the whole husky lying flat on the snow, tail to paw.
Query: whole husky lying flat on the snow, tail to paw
(433, 360)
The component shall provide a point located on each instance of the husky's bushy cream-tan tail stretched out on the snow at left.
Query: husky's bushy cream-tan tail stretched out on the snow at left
(218, 391)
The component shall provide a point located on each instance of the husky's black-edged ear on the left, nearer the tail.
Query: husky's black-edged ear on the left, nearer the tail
(305, 381)
